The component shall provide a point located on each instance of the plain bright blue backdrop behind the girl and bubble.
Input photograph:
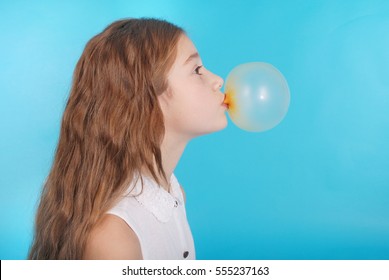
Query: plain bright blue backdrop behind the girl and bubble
(314, 187)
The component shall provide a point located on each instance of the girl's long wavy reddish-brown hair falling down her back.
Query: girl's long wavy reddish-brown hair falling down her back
(112, 129)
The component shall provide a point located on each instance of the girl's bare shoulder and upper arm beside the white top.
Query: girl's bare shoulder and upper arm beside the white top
(112, 239)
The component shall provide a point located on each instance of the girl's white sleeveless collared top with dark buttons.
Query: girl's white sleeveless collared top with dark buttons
(158, 218)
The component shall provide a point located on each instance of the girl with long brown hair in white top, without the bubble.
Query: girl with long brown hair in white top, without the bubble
(140, 93)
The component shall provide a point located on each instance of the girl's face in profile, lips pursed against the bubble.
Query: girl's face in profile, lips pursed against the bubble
(193, 103)
